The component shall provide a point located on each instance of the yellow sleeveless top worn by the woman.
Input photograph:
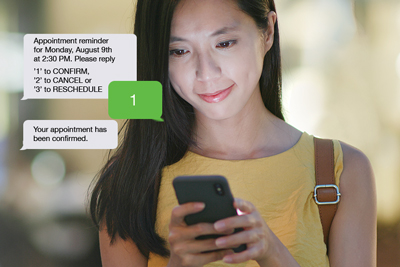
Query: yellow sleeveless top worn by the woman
(280, 187)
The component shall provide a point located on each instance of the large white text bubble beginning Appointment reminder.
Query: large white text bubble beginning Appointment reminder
(76, 65)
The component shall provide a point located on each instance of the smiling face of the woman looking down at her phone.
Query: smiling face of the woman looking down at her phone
(216, 57)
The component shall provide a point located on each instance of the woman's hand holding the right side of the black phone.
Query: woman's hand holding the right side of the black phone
(262, 244)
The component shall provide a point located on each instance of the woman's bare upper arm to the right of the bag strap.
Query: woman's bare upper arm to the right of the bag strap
(352, 240)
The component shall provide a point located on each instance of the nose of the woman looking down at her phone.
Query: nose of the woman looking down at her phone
(207, 68)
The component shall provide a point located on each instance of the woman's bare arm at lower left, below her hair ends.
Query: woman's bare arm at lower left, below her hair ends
(120, 252)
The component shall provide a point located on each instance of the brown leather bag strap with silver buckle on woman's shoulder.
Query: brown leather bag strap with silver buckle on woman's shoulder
(326, 193)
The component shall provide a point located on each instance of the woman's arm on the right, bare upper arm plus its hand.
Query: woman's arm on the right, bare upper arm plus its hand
(353, 230)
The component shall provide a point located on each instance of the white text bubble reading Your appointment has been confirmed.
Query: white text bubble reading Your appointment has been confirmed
(70, 134)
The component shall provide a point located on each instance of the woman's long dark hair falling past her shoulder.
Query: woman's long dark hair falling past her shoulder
(124, 198)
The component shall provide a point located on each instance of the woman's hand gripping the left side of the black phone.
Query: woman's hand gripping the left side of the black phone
(185, 249)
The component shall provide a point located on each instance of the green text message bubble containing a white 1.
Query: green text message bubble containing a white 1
(135, 100)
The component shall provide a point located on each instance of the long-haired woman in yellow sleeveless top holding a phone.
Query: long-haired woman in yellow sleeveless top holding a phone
(219, 64)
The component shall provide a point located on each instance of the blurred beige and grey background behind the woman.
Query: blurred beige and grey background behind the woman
(341, 79)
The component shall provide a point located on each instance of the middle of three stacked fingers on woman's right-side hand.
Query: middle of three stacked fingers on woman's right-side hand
(235, 240)
